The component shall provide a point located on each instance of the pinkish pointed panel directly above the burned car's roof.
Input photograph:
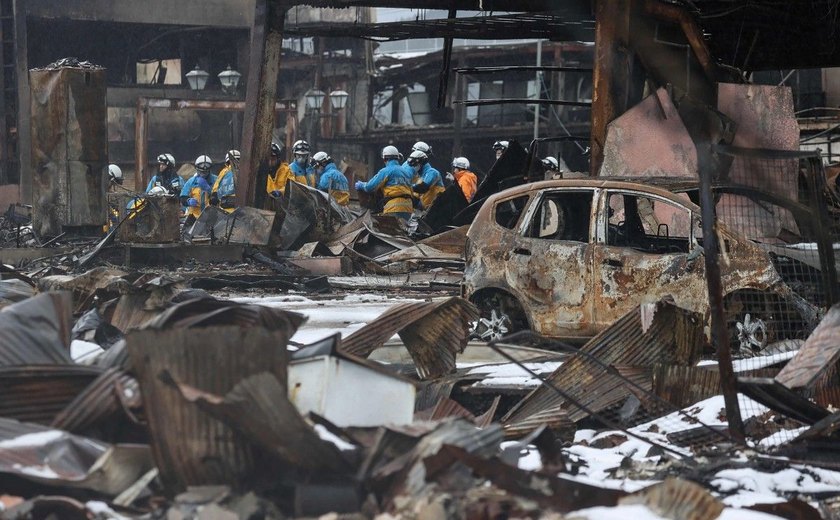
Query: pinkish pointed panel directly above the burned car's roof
(649, 139)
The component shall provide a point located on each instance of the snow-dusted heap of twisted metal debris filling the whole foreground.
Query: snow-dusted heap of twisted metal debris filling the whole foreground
(162, 401)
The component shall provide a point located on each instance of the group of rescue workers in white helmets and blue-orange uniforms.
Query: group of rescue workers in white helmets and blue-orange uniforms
(404, 184)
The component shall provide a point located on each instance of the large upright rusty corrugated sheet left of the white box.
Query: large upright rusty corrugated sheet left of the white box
(189, 446)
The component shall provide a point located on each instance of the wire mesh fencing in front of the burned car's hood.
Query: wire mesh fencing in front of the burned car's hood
(776, 201)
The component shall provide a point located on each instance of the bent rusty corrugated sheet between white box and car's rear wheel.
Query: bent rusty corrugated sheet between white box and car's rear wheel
(433, 332)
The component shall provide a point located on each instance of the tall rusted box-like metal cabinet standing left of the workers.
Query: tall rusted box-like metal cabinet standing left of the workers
(69, 148)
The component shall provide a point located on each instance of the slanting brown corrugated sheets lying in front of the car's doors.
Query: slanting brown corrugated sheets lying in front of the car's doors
(674, 336)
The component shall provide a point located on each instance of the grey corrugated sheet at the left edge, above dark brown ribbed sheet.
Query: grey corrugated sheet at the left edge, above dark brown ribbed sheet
(36, 331)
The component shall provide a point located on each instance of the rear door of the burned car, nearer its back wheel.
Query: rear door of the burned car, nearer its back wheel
(547, 265)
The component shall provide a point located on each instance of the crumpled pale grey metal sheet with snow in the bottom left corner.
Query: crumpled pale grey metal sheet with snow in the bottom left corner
(40, 454)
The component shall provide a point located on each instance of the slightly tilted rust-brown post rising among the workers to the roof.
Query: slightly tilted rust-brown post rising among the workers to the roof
(258, 123)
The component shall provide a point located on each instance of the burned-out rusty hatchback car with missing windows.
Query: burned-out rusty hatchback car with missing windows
(567, 258)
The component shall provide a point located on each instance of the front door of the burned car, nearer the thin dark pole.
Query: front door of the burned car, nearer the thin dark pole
(645, 250)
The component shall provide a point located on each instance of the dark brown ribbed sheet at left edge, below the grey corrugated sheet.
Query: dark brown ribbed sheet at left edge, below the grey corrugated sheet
(37, 393)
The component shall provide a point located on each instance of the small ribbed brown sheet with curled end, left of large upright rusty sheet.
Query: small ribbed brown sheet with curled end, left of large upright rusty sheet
(98, 401)
